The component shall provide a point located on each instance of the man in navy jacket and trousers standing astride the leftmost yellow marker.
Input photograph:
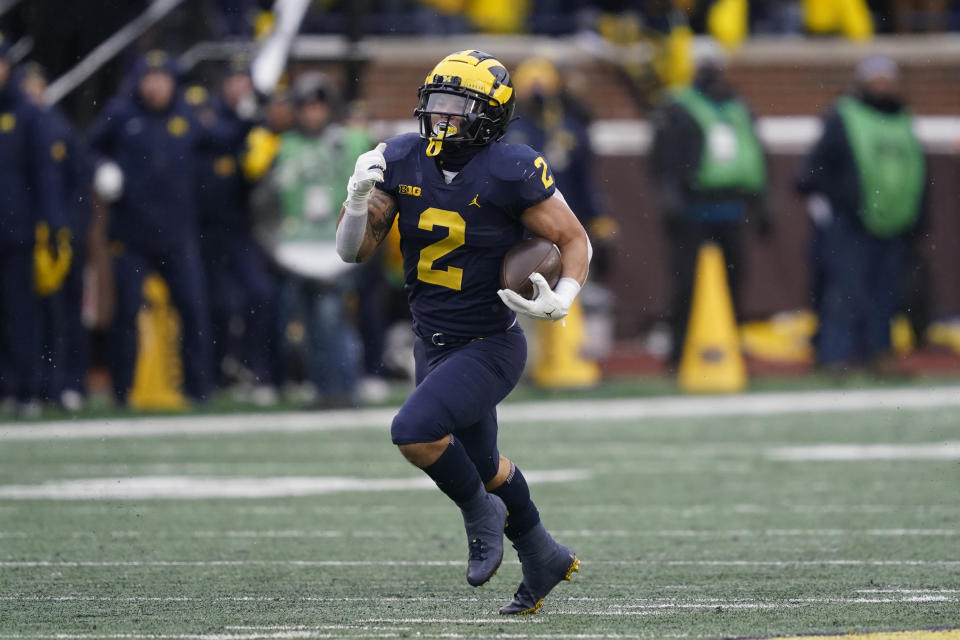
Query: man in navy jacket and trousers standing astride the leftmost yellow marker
(150, 139)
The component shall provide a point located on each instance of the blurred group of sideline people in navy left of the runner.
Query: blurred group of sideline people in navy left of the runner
(231, 201)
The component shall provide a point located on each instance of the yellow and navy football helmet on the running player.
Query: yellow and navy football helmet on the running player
(473, 87)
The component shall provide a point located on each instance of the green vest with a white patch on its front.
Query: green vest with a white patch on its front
(732, 157)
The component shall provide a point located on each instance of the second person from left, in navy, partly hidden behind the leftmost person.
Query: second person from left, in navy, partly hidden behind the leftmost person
(66, 342)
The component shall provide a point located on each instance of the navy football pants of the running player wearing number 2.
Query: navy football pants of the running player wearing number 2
(458, 388)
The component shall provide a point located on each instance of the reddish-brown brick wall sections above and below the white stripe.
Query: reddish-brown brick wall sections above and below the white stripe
(775, 81)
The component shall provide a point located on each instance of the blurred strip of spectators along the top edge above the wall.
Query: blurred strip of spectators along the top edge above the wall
(556, 17)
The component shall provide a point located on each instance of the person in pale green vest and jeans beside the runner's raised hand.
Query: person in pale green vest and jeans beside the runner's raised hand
(306, 187)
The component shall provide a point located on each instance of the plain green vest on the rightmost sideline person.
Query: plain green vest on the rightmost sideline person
(890, 165)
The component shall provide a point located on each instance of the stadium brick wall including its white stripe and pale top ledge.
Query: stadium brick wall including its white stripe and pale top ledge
(788, 83)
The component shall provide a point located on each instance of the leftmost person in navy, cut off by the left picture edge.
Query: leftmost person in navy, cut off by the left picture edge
(34, 241)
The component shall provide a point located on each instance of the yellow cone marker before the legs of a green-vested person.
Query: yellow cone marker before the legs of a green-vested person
(712, 362)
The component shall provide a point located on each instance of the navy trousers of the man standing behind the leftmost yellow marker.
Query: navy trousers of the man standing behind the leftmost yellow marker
(183, 272)
